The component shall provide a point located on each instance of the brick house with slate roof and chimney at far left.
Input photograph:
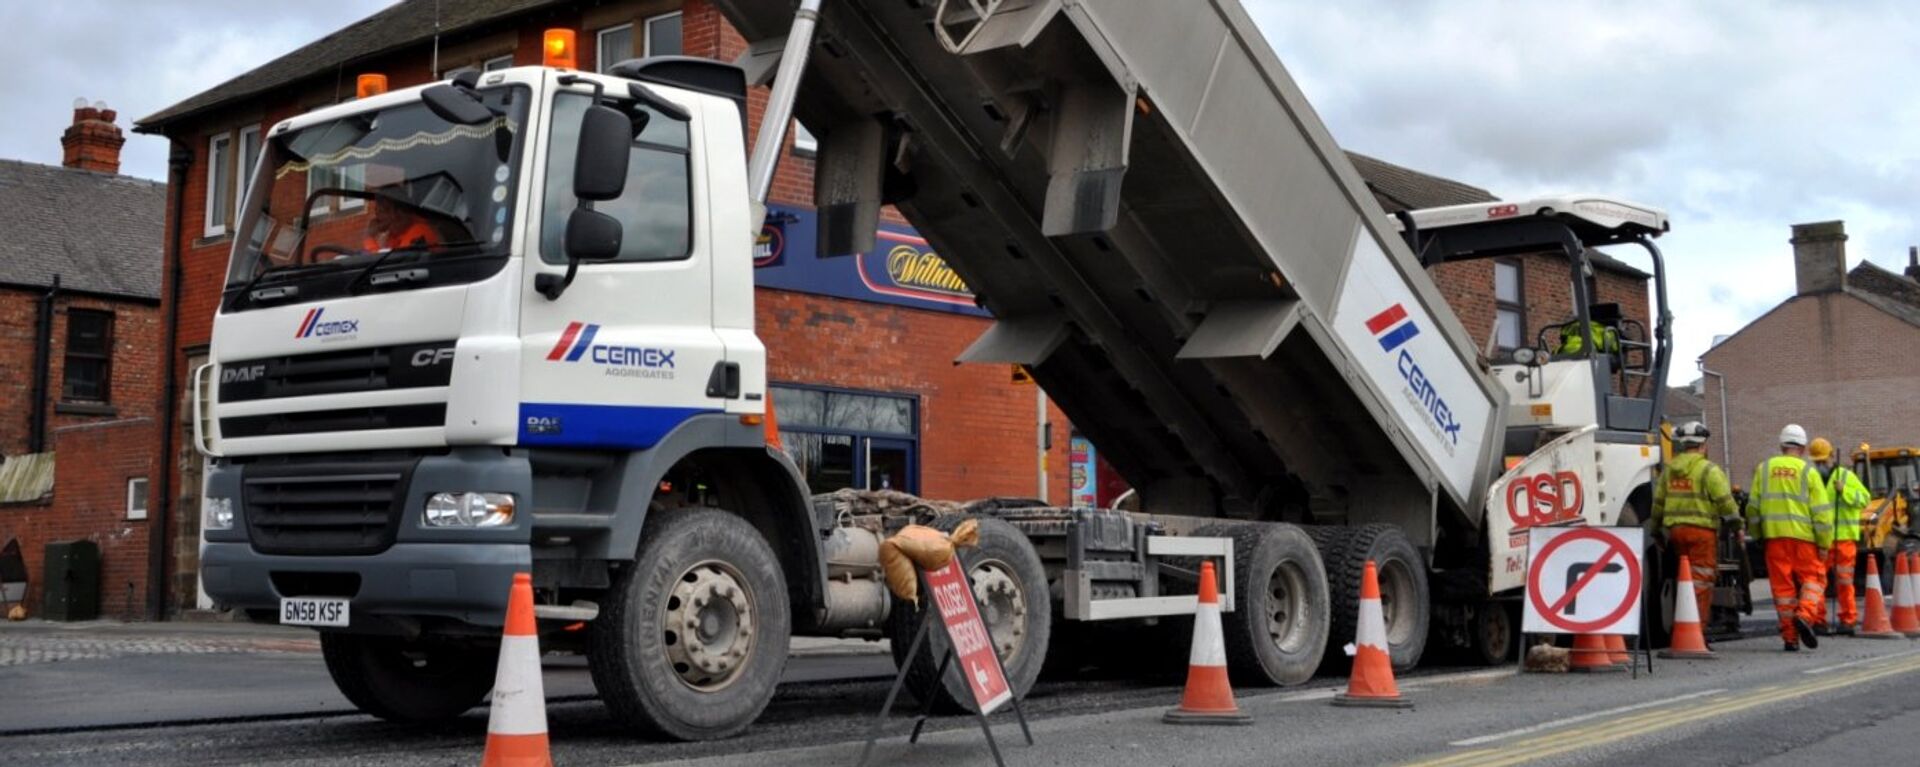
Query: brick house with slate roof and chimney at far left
(80, 353)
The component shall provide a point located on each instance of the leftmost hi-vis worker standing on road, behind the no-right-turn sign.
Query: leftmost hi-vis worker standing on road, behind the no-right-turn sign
(1689, 505)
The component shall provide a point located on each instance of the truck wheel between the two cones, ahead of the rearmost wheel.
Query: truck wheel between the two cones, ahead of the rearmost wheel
(1278, 628)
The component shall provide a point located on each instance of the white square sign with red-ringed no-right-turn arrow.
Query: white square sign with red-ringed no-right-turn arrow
(1583, 581)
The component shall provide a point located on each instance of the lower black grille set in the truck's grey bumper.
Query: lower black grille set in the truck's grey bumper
(325, 508)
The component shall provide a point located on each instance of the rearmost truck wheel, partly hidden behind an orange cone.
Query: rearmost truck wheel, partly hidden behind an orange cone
(1404, 601)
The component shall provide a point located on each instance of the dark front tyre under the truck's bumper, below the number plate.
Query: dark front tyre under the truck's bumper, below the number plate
(406, 681)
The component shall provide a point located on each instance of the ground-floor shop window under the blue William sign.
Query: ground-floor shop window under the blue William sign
(844, 439)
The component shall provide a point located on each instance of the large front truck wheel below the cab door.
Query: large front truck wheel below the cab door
(694, 633)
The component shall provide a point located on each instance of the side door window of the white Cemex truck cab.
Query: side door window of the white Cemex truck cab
(658, 209)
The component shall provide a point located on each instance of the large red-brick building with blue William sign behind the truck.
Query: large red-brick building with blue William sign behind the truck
(859, 349)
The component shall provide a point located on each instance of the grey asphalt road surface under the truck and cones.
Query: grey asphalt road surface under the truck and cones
(268, 703)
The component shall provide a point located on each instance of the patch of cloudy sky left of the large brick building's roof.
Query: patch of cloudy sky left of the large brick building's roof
(141, 59)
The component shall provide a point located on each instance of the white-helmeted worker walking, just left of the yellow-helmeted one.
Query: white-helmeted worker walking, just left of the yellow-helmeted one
(1794, 516)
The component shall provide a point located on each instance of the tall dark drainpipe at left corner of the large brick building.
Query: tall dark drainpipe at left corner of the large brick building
(158, 535)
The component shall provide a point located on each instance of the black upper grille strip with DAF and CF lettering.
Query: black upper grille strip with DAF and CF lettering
(360, 370)
